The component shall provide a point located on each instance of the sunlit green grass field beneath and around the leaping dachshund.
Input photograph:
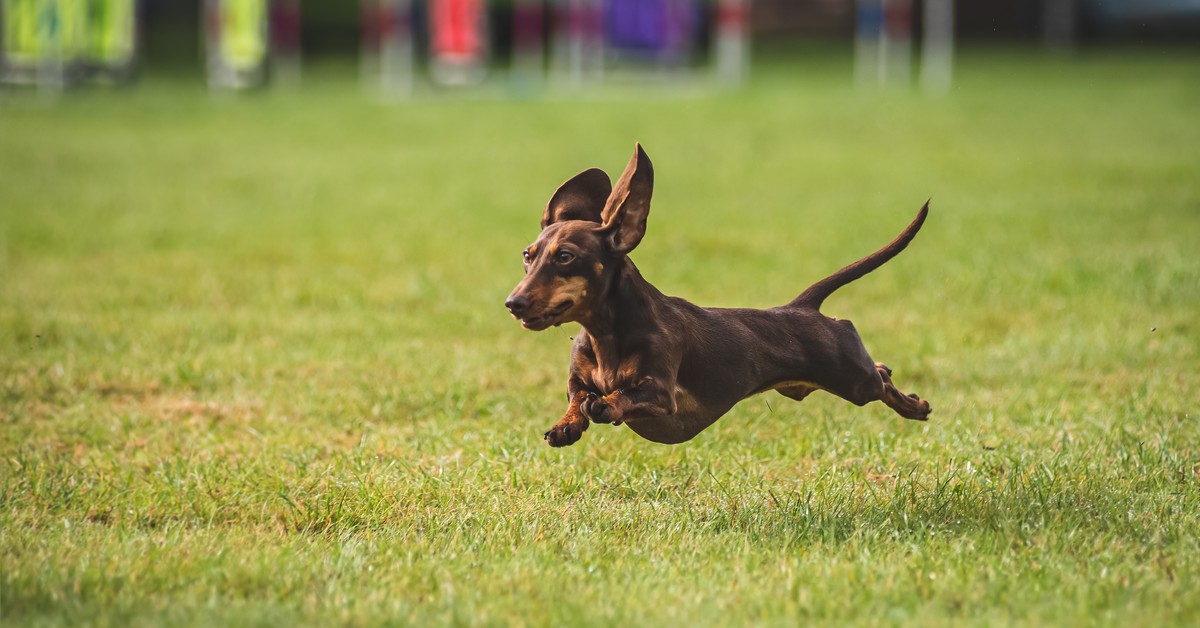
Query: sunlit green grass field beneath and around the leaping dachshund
(256, 368)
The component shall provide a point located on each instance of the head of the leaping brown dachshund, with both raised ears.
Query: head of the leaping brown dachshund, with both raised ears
(587, 230)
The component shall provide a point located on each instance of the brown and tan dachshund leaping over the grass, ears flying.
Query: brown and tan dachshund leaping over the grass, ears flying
(664, 367)
